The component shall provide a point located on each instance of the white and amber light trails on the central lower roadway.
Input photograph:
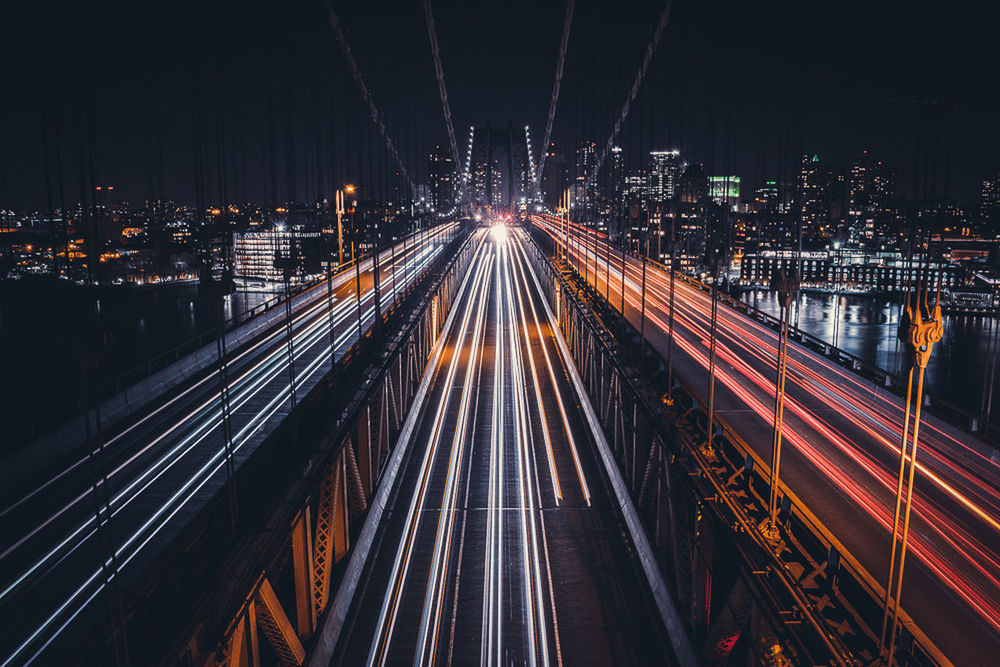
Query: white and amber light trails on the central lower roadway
(498, 321)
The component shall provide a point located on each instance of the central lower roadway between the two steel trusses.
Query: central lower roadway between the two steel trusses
(501, 543)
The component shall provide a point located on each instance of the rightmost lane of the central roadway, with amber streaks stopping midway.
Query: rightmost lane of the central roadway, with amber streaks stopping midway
(605, 614)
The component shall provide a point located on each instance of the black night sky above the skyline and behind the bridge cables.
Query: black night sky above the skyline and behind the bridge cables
(743, 87)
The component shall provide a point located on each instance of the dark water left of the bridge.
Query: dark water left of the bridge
(50, 331)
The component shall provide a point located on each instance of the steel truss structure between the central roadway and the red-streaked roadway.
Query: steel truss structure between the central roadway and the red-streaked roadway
(703, 505)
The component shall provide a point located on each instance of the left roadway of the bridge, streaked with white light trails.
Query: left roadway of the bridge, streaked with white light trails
(163, 467)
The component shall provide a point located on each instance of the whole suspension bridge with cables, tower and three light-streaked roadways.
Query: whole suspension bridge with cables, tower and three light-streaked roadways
(504, 435)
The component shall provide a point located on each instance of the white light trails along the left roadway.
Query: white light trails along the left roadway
(313, 331)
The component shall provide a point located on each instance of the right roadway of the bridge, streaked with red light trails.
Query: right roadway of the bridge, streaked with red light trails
(841, 451)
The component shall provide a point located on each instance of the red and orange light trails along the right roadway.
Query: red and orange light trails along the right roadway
(833, 414)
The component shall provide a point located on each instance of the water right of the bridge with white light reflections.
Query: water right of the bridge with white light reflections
(867, 328)
